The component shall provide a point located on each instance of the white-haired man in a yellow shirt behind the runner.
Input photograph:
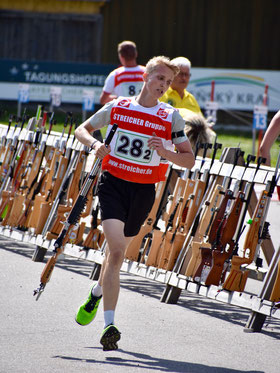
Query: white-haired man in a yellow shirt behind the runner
(177, 95)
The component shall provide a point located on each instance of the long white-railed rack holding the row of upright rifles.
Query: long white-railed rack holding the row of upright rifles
(175, 283)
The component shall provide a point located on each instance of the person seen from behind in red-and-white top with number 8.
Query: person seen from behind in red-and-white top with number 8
(126, 80)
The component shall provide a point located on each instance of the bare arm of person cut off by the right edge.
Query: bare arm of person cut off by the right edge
(270, 136)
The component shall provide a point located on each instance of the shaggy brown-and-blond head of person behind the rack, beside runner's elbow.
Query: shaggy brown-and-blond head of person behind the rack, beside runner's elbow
(197, 130)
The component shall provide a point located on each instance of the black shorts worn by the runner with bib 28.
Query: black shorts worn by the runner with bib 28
(125, 201)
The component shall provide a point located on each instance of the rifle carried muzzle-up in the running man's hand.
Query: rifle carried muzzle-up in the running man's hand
(72, 219)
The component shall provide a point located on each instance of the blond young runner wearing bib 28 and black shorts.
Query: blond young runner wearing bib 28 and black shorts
(131, 167)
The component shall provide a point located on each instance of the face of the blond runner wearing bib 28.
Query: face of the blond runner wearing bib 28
(159, 80)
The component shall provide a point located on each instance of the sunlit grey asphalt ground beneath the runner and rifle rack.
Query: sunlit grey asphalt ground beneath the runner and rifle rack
(197, 335)
